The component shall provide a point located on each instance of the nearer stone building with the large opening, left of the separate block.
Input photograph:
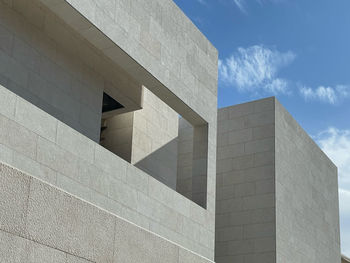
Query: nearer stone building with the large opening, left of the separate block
(58, 62)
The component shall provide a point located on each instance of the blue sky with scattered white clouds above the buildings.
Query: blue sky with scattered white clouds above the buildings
(296, 50)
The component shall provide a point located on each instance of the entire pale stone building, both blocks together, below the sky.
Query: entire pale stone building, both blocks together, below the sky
(97, 166)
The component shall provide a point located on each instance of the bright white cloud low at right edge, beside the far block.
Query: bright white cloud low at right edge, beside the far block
(336, 144)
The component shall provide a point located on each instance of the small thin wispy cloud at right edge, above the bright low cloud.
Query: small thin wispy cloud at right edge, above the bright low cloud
(330, 95)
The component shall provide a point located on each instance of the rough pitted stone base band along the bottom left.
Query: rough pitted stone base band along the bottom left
(60, 228)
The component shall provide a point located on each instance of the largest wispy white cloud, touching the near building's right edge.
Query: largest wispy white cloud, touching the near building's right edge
(256, 69)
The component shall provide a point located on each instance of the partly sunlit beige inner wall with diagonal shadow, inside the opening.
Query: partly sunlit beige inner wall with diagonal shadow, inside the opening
(147, 138)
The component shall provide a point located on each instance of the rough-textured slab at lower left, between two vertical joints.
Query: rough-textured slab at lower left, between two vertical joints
(61, 221)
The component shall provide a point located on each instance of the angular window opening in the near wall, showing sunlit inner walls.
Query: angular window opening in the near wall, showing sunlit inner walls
(160, 142)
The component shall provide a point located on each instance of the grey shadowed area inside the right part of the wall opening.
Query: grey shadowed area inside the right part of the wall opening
(173, 164)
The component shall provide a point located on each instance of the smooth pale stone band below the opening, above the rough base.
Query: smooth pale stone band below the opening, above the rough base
(83, 168)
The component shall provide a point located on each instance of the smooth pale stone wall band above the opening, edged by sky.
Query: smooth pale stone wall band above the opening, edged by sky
(158, 36)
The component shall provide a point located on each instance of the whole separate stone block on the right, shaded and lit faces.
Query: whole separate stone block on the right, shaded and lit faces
(277, 193)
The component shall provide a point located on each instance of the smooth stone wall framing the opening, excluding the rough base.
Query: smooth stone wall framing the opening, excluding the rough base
(74, 41)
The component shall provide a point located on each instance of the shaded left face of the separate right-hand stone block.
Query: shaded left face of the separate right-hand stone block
(245, 204)
